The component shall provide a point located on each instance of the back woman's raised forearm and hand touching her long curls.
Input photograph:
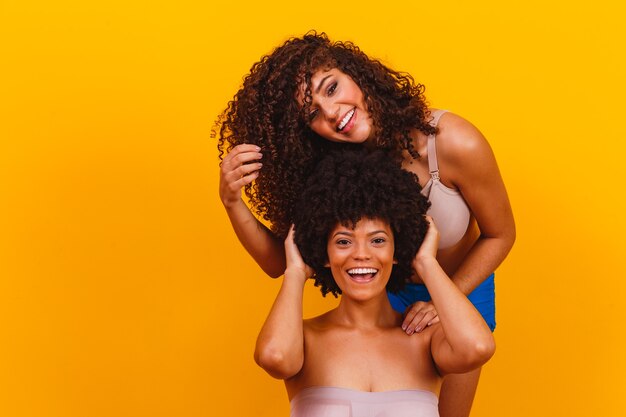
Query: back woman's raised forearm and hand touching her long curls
(240, 167)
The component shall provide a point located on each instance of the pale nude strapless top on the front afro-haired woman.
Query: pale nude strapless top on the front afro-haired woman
(344, 402)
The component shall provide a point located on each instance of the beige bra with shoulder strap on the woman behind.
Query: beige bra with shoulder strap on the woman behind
(447, 206)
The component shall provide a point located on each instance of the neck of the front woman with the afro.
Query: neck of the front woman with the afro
(364, 314)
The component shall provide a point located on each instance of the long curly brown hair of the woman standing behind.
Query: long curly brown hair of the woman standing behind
(266, 112)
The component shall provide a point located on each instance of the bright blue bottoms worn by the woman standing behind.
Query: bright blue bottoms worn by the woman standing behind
(483, 297)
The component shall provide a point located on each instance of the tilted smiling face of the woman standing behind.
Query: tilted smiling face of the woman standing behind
(338, 111)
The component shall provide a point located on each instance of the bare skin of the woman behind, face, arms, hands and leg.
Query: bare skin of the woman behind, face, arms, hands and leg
(466, 164)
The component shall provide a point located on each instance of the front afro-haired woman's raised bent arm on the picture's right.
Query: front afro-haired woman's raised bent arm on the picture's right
(462, 341)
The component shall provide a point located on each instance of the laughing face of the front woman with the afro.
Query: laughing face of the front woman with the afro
(361, 259)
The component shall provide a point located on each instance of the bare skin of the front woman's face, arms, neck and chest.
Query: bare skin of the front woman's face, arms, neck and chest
(359, 345)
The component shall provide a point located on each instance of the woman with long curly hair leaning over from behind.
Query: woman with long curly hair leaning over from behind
(310, 96)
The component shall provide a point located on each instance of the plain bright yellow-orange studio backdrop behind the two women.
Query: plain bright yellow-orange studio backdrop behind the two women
(123, 290)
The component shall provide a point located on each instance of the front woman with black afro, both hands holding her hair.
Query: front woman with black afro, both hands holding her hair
(360, 226)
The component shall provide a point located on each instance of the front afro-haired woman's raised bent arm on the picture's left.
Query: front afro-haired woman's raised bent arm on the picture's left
(280, 344)
